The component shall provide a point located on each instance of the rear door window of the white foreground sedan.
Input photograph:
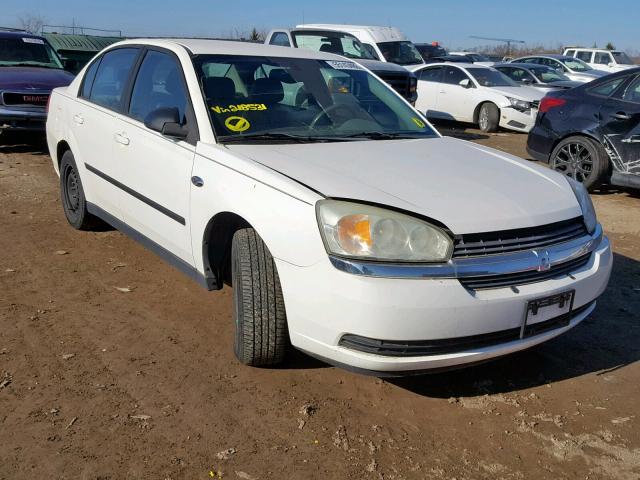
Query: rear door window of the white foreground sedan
(112, 76)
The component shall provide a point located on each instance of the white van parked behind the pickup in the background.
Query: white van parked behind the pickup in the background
(387, 44)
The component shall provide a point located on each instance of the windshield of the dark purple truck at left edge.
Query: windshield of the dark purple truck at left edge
(27, 51)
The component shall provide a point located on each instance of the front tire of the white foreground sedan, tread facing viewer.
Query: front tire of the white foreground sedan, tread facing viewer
(261, 336)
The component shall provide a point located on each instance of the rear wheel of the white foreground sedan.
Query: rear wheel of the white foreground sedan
(73, 200)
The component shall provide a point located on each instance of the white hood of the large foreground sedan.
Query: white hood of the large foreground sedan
(468, 187)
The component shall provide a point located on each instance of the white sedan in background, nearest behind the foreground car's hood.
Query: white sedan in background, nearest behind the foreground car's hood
(476, 94)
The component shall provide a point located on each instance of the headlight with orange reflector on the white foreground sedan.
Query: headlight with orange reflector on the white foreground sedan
(362, 231)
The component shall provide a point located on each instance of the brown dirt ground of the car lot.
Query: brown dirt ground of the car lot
(141, 382)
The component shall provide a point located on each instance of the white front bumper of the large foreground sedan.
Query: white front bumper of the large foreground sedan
(324, 304)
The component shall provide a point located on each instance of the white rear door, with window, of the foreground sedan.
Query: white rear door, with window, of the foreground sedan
(94, 125)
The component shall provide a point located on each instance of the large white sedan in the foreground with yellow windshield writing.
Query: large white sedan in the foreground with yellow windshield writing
(345, 224)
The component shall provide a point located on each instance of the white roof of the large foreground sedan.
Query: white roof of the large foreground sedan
(230, 47)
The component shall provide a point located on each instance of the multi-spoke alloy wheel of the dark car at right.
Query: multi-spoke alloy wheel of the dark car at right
(582, 159)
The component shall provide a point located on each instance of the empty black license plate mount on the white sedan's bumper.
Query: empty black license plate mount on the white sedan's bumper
(552, 309)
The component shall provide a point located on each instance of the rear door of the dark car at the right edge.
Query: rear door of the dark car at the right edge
(620, 124)
